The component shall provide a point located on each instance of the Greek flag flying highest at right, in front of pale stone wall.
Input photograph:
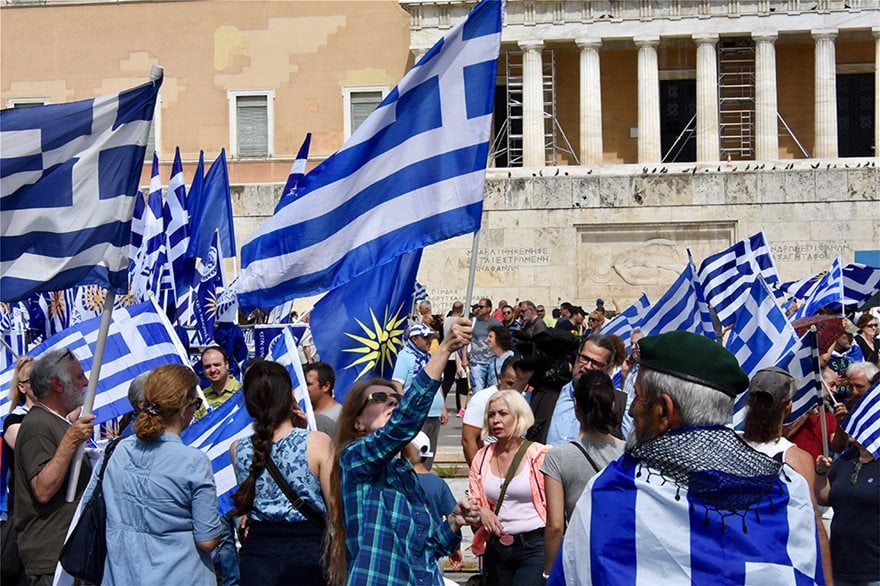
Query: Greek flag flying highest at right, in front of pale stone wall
(727, 276)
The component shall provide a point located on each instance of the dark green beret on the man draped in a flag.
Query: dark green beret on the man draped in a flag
(694, 358)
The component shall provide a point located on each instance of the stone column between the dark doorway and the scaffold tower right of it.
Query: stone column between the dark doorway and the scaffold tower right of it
(708, 141)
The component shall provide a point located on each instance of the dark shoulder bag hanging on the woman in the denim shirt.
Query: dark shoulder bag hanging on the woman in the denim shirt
(85, 551)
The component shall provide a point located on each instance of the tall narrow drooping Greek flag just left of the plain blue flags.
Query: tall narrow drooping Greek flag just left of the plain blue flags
(177, 235)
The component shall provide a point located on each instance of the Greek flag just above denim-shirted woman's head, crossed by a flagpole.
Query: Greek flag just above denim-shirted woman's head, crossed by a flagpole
(140, 339)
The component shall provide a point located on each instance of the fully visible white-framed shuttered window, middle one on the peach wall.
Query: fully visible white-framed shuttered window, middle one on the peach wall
(251, 123)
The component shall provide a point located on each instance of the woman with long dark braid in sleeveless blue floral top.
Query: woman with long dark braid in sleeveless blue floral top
(281, 545)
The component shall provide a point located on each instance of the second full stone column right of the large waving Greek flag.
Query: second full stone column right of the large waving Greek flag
(591, 102)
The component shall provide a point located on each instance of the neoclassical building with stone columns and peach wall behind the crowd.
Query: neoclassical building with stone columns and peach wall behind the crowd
(626, 131)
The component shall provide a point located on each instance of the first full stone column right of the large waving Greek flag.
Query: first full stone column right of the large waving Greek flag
(533, 104)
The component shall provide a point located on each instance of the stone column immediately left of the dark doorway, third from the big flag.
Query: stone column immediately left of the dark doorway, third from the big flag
(649, 100)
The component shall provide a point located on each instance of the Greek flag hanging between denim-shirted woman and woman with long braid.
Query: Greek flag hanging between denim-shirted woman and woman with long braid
(213, 434)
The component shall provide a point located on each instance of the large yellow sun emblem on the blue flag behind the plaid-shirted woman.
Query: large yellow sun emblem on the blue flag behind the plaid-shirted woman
(379, 344)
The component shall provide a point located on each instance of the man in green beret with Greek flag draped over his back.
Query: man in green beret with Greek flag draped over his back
(690, 502)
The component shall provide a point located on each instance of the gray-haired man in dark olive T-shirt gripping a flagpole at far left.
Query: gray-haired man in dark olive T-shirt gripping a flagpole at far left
(47, 443)
